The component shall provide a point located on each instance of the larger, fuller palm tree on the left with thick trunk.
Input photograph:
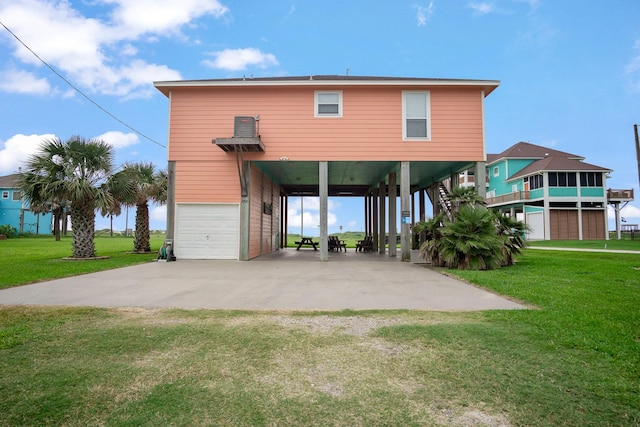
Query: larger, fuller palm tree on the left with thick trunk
(77, 171)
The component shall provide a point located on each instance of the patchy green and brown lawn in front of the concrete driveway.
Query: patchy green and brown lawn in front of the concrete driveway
(573, 360)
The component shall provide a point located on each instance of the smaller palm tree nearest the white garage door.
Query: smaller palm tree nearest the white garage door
(149, 185)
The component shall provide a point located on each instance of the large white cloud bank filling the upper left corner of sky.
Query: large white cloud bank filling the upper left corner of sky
(99, 54)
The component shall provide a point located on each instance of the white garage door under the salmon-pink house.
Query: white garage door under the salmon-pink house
(206, 231)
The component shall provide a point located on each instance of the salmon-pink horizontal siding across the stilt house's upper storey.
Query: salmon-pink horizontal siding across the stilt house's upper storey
(370, 129)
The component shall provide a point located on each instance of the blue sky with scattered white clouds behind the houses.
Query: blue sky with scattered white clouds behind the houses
(569, 70)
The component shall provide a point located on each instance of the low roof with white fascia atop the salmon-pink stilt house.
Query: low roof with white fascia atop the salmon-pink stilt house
(327, 80)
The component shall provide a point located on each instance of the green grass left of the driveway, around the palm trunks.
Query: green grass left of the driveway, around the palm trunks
(34, 259)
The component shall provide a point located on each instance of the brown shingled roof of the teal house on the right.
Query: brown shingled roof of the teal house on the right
(544, 160)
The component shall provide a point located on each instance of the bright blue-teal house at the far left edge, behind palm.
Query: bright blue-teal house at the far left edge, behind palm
(15, 212)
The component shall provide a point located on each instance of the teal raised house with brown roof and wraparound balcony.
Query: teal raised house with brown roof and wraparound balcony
(557, 194)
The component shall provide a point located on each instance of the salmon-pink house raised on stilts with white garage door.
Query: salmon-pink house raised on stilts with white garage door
(238, 148)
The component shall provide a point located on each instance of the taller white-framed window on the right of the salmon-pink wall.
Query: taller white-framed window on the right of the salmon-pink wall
(416, 120)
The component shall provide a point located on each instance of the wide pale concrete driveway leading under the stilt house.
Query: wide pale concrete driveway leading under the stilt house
(286, 280)
